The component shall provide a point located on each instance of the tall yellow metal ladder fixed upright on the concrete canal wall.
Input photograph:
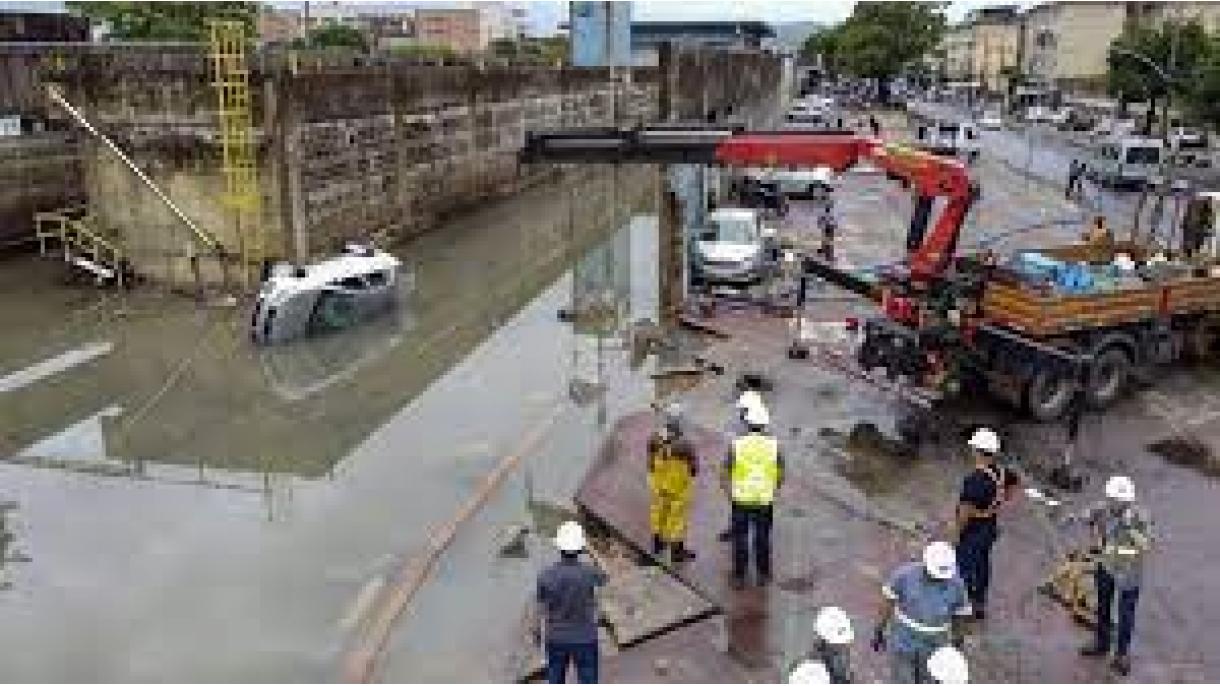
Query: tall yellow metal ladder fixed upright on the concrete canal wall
(240, 158)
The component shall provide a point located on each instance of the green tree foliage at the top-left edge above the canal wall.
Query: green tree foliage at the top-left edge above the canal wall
(165, 21)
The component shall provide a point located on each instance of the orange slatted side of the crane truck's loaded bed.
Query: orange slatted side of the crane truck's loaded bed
(1041, 313)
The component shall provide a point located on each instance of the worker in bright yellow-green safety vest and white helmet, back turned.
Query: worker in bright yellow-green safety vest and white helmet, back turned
(753, 473)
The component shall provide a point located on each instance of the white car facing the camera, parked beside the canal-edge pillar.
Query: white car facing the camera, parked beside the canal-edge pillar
(730, 248)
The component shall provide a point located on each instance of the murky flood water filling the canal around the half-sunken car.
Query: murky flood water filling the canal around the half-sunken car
(180, 505)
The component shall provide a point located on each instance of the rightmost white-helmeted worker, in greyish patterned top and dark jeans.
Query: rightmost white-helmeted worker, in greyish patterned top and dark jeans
(1124, 538)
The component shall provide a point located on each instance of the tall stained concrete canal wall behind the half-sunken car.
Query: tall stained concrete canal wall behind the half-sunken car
(347, 147)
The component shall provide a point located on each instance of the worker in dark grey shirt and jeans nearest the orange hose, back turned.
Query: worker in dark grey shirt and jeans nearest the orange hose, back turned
(568, 610)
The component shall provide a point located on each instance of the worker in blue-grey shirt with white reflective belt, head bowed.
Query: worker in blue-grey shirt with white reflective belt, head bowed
(923, 605)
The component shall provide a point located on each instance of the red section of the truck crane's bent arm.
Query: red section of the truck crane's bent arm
(929, 175)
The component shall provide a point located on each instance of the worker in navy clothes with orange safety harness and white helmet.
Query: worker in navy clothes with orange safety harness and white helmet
(983, 494)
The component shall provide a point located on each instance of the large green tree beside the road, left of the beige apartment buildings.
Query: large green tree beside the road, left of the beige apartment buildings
(881, 38)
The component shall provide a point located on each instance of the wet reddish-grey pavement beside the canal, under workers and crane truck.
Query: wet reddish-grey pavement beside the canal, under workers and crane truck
(846, 518)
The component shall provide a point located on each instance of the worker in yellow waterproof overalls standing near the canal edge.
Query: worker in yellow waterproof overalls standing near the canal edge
(672, 472)
